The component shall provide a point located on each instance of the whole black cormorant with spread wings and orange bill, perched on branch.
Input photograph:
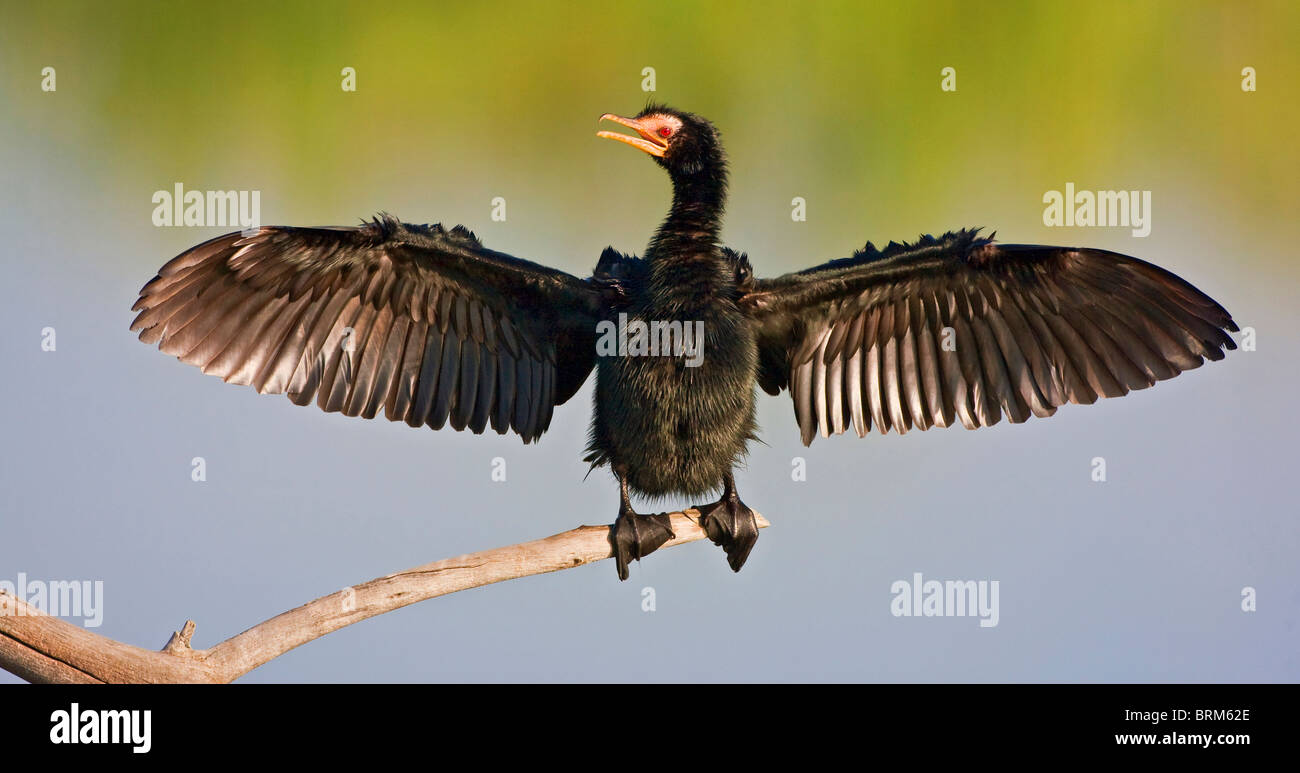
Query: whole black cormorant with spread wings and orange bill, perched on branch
(432, 328)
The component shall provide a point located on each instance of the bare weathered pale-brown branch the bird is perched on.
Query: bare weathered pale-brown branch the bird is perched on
(44, 649)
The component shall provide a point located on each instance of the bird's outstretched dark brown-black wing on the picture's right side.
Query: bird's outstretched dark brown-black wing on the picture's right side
(964, 329)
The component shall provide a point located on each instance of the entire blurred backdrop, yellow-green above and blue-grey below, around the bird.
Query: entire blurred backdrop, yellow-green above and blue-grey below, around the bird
(1138, 579)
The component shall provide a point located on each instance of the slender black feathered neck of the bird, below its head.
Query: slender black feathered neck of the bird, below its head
(694, 225)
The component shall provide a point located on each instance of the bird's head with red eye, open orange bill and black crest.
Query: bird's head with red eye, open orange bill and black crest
(683, 144)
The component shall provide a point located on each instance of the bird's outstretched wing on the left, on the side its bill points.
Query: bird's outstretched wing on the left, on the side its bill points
(423, 323)
